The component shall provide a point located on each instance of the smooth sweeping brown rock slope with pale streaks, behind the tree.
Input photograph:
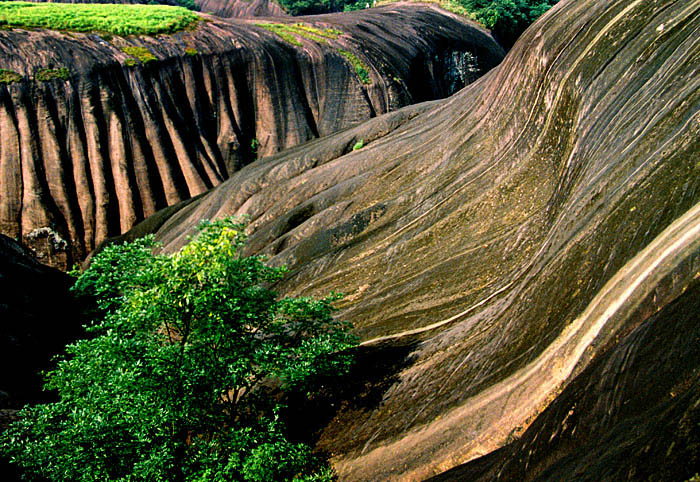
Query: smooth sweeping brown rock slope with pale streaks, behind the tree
(504, 237)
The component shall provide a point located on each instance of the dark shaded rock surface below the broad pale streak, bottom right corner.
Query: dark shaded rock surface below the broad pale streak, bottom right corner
(631, 415)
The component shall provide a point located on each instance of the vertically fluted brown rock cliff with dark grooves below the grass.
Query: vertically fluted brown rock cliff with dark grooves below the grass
(85, 158)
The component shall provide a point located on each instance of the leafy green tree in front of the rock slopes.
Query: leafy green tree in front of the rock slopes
(177, 381)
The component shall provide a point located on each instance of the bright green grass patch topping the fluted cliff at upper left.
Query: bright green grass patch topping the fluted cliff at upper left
(108, 18)
